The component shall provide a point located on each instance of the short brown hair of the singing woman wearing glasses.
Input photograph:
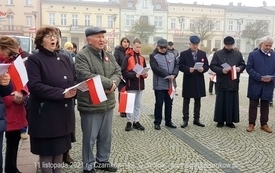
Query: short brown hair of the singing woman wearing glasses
(40, 34)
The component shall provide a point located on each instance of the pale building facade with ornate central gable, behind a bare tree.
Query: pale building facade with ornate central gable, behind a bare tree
(153, 12)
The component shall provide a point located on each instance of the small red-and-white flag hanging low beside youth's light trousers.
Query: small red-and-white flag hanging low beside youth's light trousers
(126, 102)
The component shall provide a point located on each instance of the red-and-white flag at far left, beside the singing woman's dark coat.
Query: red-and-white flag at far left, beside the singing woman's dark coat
(18, 73)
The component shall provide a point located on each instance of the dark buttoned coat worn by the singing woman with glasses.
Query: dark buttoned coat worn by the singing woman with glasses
(49, 114)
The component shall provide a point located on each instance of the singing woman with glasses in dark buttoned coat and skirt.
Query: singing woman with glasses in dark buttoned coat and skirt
(51, 113)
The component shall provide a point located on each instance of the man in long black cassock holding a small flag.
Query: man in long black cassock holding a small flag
(227, 85)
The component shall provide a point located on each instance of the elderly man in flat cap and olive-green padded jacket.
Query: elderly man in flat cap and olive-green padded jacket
(96, 111)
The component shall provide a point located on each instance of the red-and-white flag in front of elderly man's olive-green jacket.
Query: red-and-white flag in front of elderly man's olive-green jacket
(97, 93)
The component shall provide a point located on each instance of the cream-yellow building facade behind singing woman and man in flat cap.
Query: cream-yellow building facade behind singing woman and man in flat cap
(73, 17)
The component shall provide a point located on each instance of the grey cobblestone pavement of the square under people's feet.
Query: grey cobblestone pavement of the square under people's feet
(193, 149)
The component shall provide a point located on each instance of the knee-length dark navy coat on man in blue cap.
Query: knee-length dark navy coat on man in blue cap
(193, 85)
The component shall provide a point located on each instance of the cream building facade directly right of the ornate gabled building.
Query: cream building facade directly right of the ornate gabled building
(182, 18)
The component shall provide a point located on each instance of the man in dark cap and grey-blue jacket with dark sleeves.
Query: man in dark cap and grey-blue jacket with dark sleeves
(163, 64)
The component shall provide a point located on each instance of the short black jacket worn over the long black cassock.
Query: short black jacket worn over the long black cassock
(223, 81)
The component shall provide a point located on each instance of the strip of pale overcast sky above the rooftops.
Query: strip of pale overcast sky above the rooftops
(223, 2)
